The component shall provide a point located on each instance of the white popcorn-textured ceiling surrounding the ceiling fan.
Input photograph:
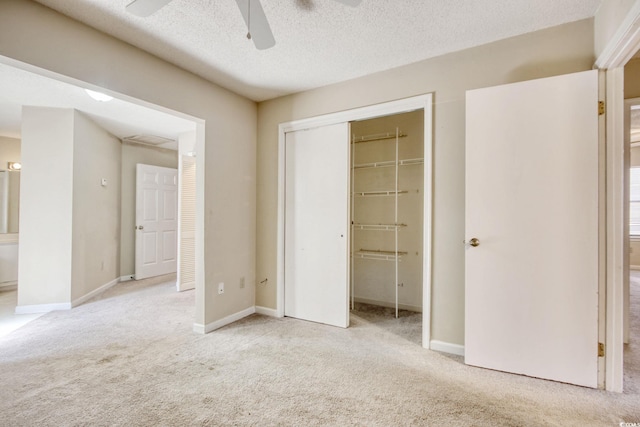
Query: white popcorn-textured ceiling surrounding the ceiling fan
(318, 42)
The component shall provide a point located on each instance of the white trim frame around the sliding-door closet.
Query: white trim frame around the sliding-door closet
(420, 102)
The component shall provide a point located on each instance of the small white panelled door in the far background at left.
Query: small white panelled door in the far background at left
(156, 220)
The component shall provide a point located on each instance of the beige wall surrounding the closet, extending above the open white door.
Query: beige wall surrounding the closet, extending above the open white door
(564, 49)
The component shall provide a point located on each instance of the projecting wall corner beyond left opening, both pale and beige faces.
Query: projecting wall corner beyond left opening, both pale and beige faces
(69, 243)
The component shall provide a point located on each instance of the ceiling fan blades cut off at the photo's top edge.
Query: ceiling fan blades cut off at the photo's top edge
(258, 27)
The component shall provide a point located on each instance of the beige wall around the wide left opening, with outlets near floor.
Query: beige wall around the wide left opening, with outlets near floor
(228, 158)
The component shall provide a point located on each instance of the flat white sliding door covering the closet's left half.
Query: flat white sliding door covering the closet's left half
(317, 224)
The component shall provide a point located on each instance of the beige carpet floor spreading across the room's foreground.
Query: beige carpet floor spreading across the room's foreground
(130, 358)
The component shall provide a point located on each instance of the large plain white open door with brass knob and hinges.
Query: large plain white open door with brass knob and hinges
(532, 201)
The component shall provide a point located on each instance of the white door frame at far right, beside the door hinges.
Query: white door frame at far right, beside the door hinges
(620, 49)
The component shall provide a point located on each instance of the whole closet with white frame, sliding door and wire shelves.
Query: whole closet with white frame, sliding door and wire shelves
(354, 218)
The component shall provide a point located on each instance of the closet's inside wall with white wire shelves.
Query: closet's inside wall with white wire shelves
(375, 215)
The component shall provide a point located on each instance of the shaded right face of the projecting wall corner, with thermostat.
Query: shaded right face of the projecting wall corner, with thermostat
(96, 208)
